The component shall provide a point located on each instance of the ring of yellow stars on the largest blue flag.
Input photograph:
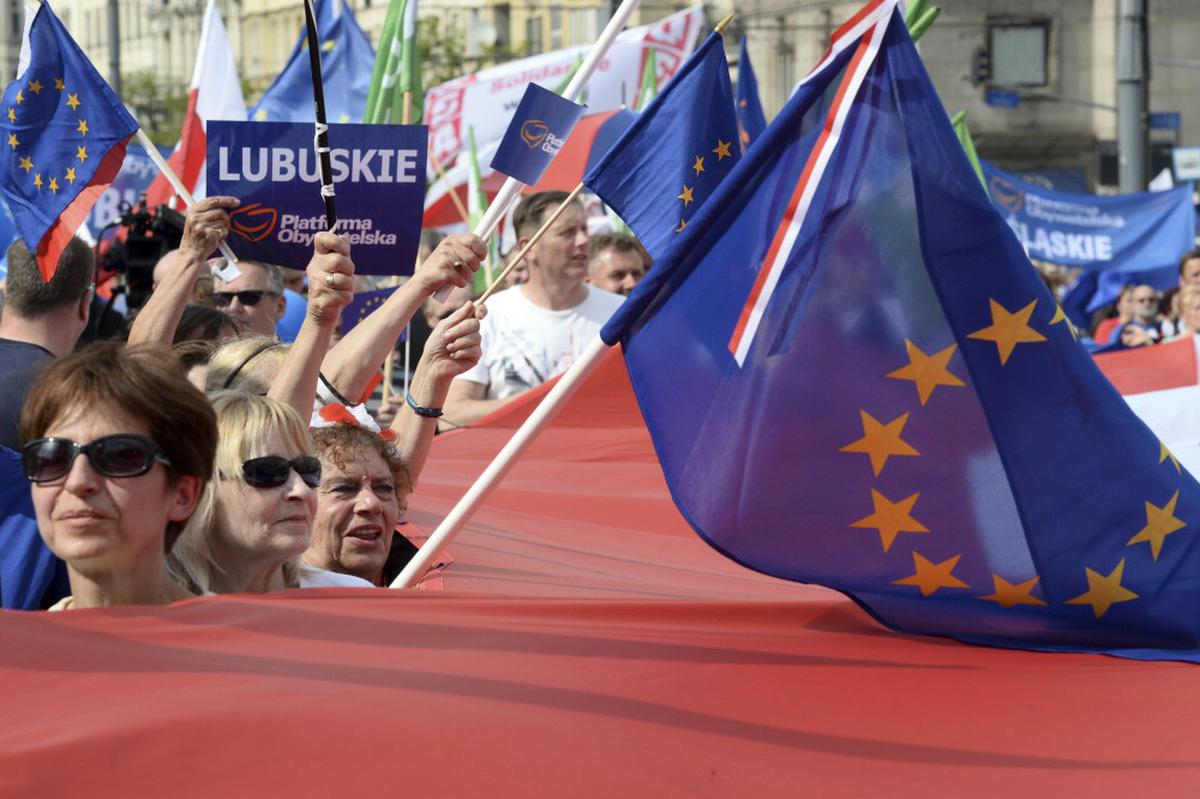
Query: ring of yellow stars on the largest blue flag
(891, 518)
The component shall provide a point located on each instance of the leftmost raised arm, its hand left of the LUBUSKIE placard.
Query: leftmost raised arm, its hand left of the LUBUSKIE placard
(207, 224)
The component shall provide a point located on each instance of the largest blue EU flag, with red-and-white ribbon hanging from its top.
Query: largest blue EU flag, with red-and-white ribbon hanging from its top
(854, 377)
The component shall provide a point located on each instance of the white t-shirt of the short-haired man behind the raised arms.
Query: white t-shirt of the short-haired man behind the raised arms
(526, 345)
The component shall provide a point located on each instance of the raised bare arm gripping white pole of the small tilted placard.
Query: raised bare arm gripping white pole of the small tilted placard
(352, 363)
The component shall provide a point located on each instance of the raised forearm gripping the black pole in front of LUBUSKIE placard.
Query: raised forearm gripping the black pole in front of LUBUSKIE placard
(331, 290)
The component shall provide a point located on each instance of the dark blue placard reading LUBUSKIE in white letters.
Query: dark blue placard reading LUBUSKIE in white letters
(273, 169)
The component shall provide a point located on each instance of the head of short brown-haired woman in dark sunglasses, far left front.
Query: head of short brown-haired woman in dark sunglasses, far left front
(118, 449)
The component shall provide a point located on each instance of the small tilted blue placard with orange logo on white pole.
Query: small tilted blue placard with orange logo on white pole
(537, 134)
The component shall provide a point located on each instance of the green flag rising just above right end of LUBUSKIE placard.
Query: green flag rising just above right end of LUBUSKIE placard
(397, 70)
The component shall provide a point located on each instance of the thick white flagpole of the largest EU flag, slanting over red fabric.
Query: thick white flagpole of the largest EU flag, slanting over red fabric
(500, 467)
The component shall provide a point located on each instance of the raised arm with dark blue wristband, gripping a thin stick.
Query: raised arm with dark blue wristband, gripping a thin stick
(453, 349)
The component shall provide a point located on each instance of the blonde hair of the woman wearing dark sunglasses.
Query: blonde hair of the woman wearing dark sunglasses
(244, 423)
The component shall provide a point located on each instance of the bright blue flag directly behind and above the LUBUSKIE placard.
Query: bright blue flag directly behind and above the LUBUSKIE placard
(346, 63)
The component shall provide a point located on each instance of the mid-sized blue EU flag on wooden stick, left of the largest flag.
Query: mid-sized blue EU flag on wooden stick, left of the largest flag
(659, 175)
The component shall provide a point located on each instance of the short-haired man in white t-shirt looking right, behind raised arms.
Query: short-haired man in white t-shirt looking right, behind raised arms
(535, 332)
